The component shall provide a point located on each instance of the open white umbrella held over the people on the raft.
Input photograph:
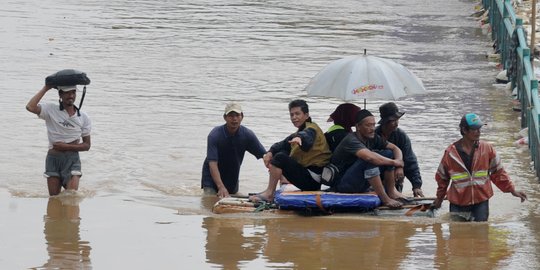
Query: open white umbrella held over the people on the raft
(362, 77)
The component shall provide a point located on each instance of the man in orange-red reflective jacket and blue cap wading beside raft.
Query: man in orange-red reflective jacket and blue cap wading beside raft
(465, 172)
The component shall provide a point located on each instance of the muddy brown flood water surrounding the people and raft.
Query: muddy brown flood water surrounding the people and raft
(162, 72)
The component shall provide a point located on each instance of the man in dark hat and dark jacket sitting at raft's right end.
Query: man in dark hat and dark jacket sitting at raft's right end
(388, 129)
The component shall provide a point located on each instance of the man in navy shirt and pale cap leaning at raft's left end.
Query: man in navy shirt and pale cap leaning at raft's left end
(225, 150)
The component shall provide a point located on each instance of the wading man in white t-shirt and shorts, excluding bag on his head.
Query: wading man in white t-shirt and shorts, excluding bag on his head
(66, 126)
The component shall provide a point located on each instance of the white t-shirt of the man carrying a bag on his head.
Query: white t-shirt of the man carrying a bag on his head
(61, 127)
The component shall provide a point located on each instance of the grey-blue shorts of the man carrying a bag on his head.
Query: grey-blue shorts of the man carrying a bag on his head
(63, 165)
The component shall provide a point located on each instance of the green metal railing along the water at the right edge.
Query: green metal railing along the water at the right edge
(511, 40)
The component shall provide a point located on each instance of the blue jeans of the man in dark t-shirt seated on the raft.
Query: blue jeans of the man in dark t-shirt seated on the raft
(355, 178)
